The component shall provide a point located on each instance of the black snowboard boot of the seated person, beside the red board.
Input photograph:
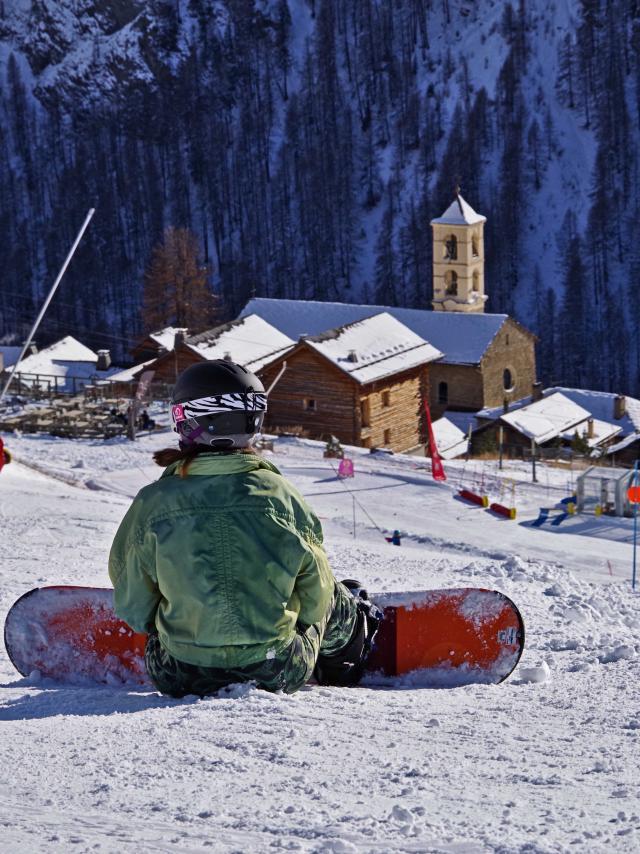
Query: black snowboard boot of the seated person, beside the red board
(347, 666)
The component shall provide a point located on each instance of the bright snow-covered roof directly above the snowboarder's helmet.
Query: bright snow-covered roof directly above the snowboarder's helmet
(249, 341)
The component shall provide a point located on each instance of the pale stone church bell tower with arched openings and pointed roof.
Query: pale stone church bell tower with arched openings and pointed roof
(458, 258)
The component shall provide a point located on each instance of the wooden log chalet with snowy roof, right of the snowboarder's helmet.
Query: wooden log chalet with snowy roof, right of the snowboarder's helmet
(364, 382)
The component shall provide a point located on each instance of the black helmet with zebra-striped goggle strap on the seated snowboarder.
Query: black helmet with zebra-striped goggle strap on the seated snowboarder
(217, 403)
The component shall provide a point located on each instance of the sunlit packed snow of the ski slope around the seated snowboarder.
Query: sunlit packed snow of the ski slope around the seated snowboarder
(545, 762)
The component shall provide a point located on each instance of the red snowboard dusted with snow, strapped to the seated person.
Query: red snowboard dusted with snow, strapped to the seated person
(448, 637)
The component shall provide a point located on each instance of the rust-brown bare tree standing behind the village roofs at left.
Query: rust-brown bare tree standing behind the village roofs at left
(176, 288)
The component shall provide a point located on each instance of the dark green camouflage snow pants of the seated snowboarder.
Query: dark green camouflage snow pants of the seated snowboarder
(287, 672)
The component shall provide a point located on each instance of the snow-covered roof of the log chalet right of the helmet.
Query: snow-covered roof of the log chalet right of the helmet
(373, 348)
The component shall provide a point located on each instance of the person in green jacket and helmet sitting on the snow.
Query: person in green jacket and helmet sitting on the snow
(221, 560)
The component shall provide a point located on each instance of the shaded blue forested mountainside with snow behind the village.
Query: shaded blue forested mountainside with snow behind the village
(308, 144)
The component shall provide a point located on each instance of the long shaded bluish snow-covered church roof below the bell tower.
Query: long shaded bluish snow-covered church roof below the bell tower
(462, 338)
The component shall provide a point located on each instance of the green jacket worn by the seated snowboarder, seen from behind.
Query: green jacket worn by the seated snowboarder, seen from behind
(223, 562)
